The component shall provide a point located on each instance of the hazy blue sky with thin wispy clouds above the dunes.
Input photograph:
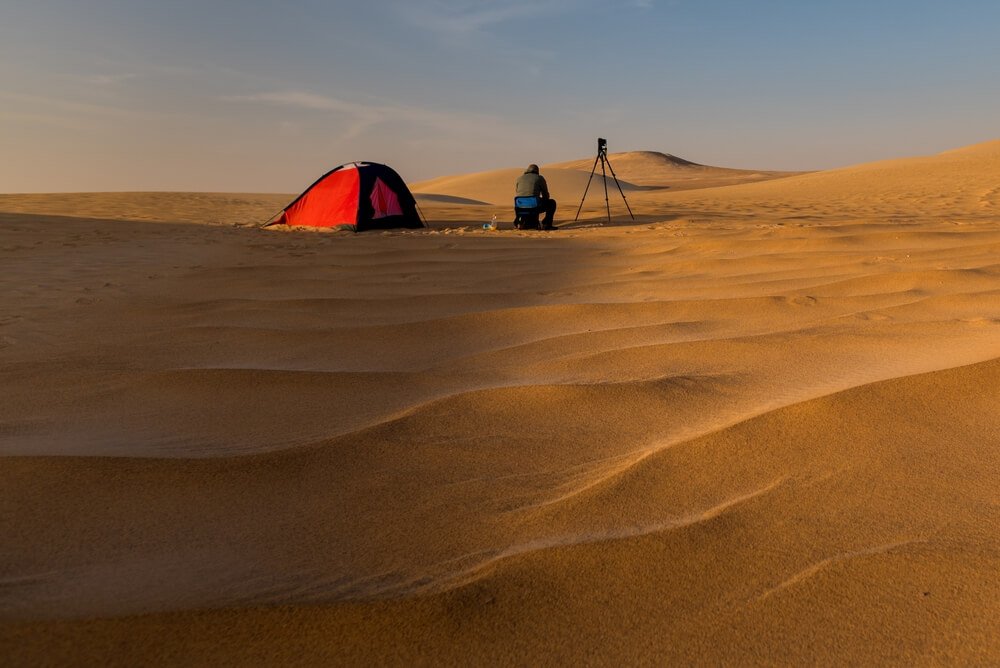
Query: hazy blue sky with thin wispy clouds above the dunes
(254, 96)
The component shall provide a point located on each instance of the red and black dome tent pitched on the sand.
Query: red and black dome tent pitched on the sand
(359, 195)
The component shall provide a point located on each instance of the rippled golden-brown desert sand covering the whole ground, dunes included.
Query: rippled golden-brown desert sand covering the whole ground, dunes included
(758, 425)
